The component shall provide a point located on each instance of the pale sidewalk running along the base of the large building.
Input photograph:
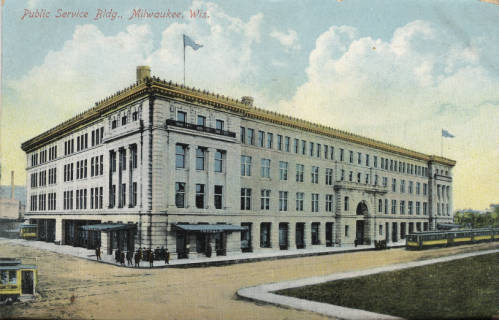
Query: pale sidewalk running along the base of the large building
(197, 262)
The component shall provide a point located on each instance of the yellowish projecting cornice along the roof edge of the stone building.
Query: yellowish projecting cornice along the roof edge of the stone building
(157, 87)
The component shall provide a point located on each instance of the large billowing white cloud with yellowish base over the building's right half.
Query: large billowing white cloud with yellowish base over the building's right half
(405, 91)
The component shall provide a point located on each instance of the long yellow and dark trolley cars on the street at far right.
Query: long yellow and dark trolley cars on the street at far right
(424, 240)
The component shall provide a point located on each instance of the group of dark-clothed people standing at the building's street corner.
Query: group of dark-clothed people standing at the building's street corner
(139, 255)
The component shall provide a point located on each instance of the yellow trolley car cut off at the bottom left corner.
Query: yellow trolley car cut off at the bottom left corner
(16, 279)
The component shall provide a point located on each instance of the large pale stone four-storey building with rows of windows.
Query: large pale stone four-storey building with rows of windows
(159, 164)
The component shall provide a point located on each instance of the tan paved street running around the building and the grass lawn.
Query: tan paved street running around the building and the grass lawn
(72, 287)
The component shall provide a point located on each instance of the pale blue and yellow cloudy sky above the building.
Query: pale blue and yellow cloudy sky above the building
(396, 71)
